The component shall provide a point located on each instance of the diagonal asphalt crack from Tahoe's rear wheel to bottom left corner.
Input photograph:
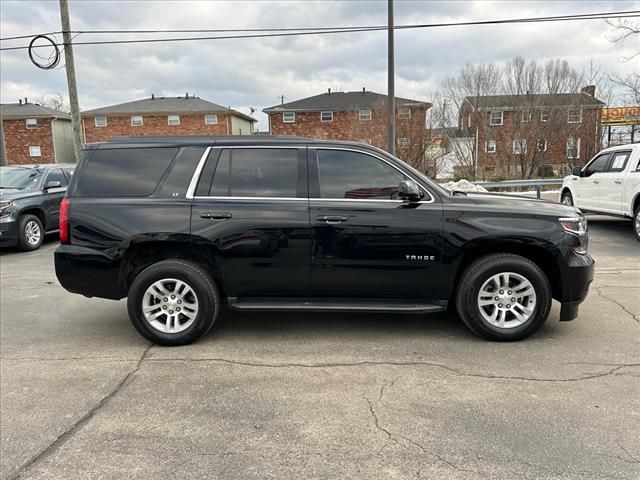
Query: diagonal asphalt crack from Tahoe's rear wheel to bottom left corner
(69, 432)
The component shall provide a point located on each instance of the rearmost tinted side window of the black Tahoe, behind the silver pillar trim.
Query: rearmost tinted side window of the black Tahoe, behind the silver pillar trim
(124, 172)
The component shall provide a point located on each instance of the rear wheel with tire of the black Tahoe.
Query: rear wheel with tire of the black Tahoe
(173, 302)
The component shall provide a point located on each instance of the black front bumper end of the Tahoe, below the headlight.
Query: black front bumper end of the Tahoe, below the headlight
(576, 279)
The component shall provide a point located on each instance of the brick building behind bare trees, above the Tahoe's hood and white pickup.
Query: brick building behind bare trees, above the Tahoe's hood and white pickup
(533, 134)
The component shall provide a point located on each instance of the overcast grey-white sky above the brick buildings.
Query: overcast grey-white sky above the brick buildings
(255, 72)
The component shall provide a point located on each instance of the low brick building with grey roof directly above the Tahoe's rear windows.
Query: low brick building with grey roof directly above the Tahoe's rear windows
(188, 115)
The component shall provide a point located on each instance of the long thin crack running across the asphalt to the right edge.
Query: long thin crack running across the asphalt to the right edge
(455, 371)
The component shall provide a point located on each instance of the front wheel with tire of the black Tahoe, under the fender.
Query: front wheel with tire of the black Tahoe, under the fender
(487, 274)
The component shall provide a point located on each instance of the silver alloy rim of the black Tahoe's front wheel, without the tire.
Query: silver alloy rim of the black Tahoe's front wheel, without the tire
(507, 300)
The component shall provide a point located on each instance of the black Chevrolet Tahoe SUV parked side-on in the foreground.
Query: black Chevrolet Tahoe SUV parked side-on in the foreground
(180, 226)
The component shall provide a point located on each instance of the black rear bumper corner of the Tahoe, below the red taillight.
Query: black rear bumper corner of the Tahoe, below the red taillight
(88, 272)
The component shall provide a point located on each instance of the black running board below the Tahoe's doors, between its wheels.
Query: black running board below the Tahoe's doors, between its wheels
(333, 305)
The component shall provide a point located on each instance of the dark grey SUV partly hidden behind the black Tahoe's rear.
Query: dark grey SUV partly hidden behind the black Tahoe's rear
(30, 197)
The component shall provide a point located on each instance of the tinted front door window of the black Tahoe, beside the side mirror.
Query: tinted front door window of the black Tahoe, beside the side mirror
(344, 174)
